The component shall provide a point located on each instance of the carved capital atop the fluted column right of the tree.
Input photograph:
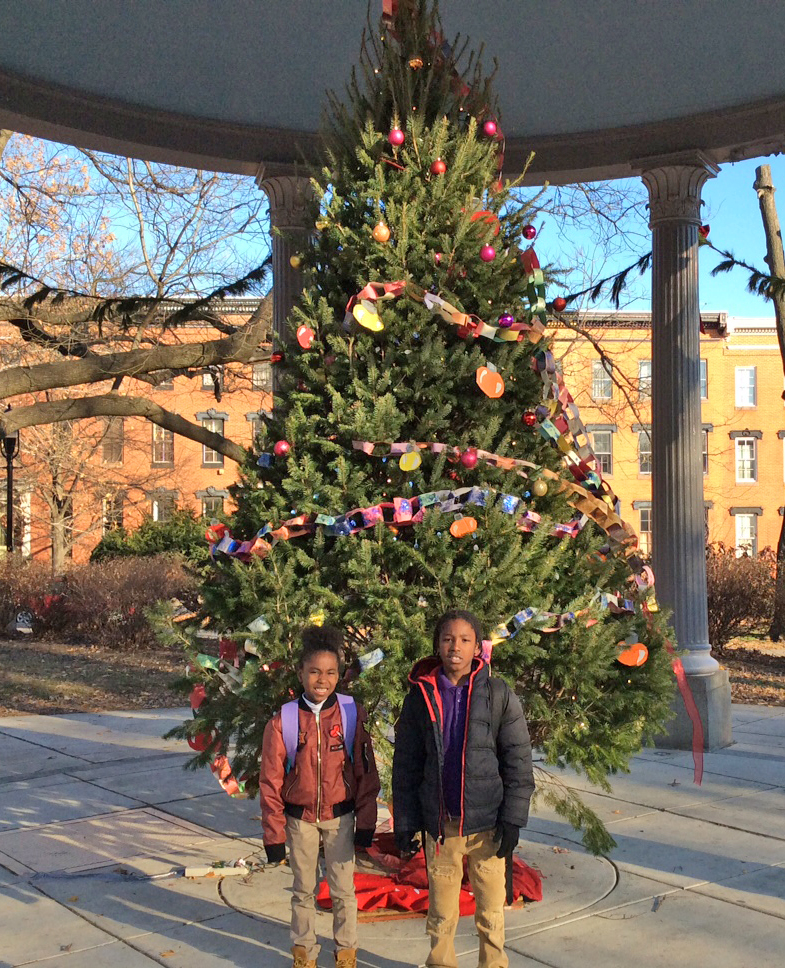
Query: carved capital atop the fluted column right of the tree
(674, 183)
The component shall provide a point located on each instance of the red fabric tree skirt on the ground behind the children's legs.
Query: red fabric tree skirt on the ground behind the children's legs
(405, 887)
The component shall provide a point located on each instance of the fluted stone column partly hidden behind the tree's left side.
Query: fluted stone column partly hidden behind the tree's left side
(289, 197)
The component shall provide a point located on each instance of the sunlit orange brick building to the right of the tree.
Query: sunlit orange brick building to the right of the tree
(742, 419)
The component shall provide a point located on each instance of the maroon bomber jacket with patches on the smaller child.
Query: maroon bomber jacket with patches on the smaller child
(324, 782)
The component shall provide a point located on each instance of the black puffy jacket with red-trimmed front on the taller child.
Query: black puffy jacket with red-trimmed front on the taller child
(497, 772)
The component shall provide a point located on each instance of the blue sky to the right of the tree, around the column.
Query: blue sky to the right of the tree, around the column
(732, 213)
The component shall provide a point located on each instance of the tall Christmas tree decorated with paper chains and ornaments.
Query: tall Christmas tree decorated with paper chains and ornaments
(423, 453)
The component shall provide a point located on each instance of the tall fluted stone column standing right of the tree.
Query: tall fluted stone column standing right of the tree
(674, 184)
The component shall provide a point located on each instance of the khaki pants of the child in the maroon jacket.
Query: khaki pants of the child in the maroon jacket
(303, 840)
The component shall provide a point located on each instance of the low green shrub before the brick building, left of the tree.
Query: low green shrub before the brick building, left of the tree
(183, 534)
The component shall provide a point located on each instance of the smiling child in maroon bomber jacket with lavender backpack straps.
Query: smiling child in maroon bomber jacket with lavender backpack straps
(326, 792)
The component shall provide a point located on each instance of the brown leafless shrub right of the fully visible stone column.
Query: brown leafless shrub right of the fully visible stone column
(740, 593)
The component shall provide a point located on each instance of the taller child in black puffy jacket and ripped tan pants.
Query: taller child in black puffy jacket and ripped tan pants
(462, 773)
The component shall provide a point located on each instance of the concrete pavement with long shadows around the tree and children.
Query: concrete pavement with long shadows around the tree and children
(98, 819)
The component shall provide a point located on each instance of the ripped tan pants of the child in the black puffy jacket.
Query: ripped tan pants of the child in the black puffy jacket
(486, 876)
